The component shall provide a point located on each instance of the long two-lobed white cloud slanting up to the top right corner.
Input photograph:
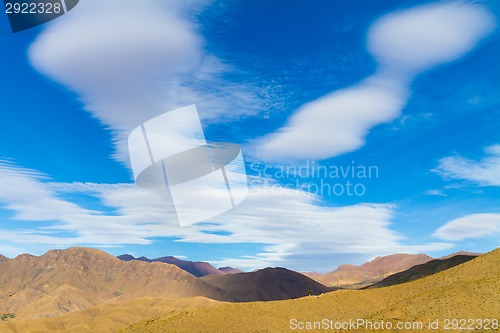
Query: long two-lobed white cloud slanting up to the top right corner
(404, 43)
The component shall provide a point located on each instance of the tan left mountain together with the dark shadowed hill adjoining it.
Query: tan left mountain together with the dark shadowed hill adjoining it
(64, 281)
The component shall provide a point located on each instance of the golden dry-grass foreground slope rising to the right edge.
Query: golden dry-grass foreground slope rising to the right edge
(470, 290)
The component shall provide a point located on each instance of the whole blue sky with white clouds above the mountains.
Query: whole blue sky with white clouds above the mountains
(409, 88)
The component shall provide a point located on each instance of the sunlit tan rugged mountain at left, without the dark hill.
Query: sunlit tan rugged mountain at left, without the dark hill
(63, 281)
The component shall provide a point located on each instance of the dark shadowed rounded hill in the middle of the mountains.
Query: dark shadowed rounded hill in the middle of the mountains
(266, 284)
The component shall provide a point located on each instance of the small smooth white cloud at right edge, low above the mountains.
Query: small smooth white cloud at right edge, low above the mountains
(470, 226)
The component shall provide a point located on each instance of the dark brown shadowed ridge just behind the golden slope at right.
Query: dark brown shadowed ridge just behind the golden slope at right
(423, 270)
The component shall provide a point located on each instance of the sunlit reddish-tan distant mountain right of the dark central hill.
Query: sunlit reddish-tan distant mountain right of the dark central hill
(370, 272)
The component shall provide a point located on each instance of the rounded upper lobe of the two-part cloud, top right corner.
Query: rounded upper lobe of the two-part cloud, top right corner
(422, 37)
